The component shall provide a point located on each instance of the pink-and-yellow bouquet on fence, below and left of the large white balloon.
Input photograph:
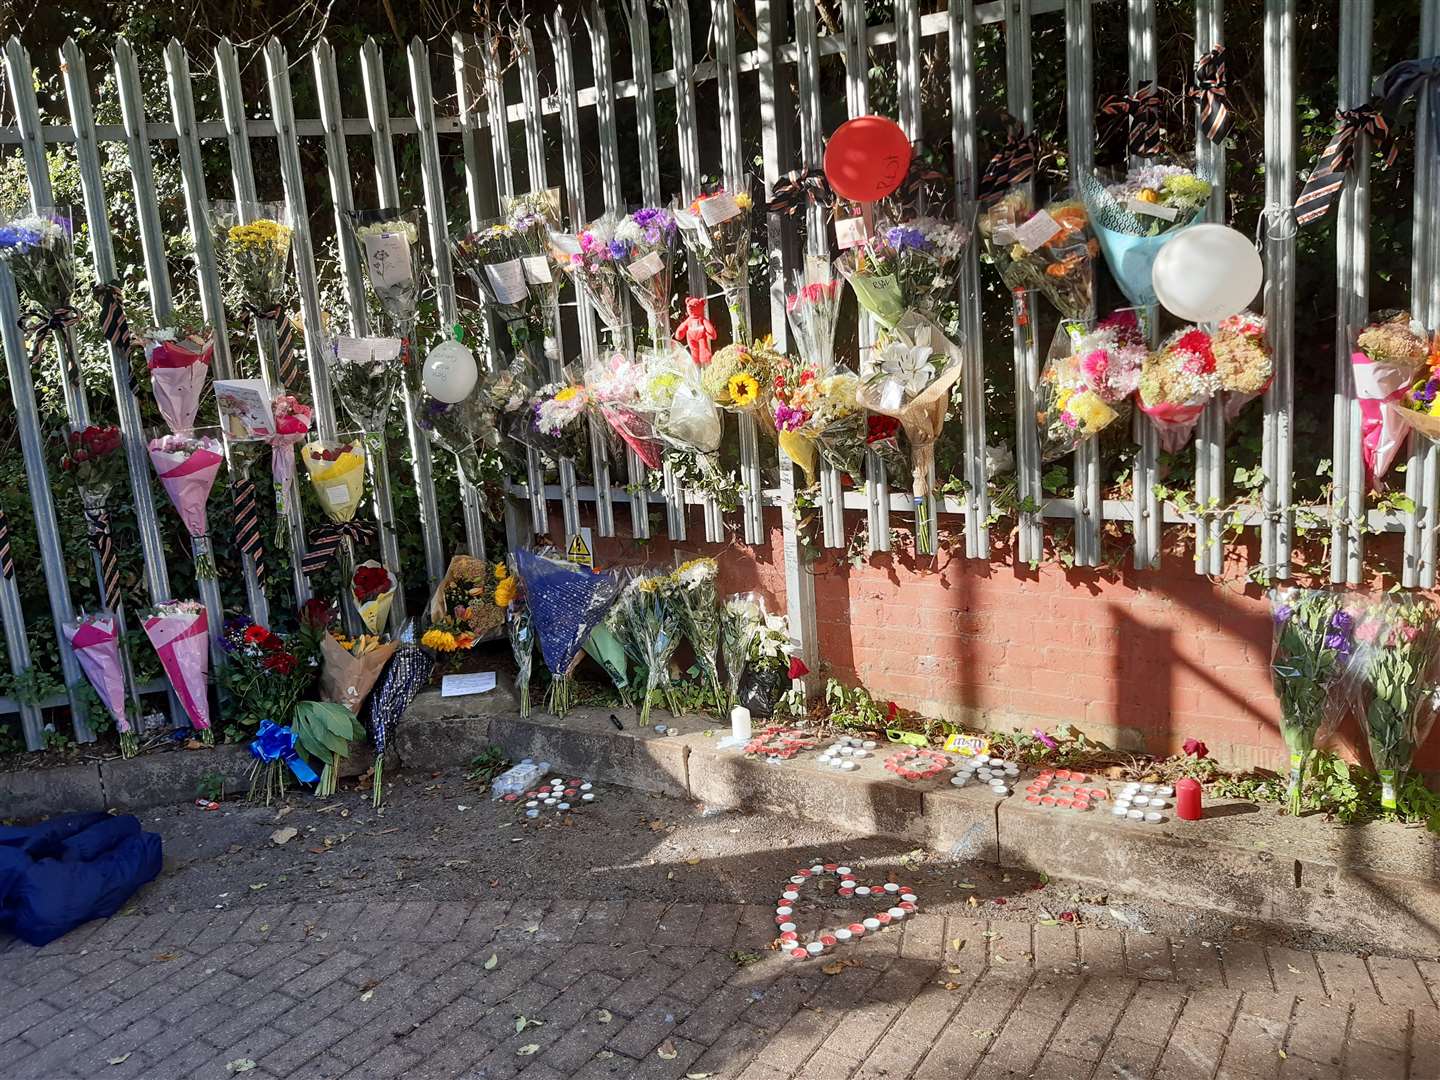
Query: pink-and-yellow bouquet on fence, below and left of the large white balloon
(1088, 378)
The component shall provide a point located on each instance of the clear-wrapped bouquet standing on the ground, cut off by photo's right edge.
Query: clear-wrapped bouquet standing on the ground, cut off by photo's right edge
(1398, 683)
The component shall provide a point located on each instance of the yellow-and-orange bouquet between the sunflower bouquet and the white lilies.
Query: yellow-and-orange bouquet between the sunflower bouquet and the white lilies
(822, 415)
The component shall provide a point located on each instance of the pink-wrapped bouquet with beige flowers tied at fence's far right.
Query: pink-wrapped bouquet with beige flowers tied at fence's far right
(1386, 358)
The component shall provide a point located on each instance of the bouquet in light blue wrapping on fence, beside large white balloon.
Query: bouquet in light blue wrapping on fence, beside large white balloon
(1137, 215)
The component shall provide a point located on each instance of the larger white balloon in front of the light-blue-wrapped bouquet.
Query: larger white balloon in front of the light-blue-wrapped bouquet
(1207, 273)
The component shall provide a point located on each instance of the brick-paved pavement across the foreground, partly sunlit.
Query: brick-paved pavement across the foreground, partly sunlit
(402, 990)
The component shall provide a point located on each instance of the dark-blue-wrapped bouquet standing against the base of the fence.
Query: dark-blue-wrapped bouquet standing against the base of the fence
(567, 603)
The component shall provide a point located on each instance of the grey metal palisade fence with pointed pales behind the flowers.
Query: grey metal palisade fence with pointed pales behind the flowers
(489, 112)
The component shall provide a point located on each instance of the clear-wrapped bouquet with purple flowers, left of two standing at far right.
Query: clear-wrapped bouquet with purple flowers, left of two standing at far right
(1310, 663)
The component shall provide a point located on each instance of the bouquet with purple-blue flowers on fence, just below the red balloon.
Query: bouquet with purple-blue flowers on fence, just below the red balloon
(905, 267)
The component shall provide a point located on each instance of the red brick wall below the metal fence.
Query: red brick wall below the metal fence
(1140, 660)
